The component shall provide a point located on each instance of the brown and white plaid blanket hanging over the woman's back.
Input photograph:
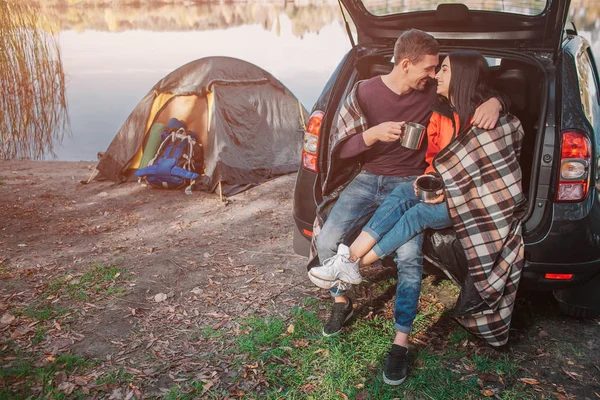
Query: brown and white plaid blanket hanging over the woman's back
(485, 201)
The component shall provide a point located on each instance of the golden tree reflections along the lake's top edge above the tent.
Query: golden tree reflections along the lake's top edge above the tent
(176, 16)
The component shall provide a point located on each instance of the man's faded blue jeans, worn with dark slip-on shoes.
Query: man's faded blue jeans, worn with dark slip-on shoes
(355, 206)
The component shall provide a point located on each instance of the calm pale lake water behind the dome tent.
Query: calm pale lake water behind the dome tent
(113, 57)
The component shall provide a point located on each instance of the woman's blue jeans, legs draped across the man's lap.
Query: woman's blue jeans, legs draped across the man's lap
(401, 217)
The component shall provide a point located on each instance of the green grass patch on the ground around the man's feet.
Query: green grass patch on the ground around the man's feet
(300, 363)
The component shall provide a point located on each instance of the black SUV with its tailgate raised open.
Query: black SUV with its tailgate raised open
(549, 74)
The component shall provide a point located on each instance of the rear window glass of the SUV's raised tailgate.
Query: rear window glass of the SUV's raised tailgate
(390, 7)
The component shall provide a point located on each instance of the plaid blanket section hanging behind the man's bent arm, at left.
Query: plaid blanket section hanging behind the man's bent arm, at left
(350, 121)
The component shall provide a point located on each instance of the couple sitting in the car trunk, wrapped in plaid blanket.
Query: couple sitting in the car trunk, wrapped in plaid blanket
(472, 150)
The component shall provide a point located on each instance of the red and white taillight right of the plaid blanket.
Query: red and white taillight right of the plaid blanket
(573, 181)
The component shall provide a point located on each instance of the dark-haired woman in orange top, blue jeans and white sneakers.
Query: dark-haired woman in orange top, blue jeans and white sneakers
(462, 86)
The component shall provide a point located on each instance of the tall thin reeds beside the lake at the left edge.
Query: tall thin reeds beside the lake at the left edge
(33, 107)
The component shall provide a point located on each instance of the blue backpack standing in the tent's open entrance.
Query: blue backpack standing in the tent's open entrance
(176, 160)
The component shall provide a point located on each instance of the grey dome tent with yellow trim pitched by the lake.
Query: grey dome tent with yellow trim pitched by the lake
(250, 126)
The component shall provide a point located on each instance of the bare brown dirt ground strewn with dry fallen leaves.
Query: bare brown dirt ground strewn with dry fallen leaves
(194, 264)
